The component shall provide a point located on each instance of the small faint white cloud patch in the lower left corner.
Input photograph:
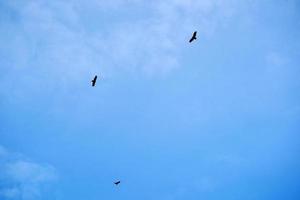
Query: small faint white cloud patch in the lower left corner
(23, 179)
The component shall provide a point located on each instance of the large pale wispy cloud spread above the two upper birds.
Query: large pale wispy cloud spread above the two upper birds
(58, 37)
